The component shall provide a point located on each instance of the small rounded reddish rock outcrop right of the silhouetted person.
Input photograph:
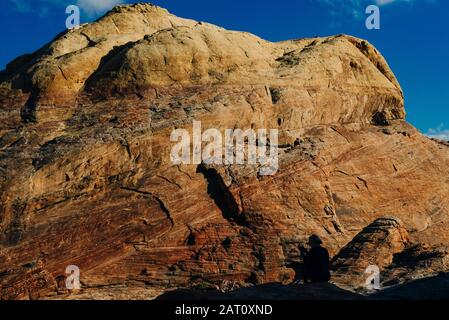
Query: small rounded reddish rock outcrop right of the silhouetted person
(385, 243)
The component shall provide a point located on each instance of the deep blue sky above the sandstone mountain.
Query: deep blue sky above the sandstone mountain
(414, 35)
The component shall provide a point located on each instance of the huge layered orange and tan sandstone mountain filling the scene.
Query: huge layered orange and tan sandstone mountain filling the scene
(86, 177)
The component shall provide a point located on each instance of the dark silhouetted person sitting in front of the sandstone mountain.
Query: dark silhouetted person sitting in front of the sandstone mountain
(316, 261)
